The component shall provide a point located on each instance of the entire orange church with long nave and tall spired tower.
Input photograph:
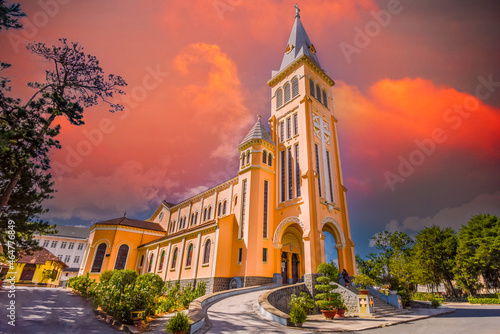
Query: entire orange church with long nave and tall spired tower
(268, 223)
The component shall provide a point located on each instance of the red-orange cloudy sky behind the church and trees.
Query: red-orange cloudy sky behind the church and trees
(417, 96)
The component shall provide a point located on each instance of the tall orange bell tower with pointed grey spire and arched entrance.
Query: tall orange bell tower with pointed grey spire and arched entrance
(310, 194)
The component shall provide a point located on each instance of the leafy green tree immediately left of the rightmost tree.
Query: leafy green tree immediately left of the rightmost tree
(434, 257)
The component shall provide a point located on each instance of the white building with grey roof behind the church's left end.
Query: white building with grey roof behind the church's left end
(69, 245)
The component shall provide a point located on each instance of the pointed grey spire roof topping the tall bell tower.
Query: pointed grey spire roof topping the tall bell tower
(298, 44)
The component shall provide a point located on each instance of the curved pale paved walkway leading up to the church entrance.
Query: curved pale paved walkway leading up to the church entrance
(238, 314)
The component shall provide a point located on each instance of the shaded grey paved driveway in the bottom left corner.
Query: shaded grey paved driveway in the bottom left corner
(49, 310)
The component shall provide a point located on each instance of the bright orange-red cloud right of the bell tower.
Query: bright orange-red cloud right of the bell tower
(411, 120)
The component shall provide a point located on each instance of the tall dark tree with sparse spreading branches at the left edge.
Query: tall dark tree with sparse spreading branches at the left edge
(74, 82)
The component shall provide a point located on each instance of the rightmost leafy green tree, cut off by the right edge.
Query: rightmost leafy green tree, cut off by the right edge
(478, 253)
